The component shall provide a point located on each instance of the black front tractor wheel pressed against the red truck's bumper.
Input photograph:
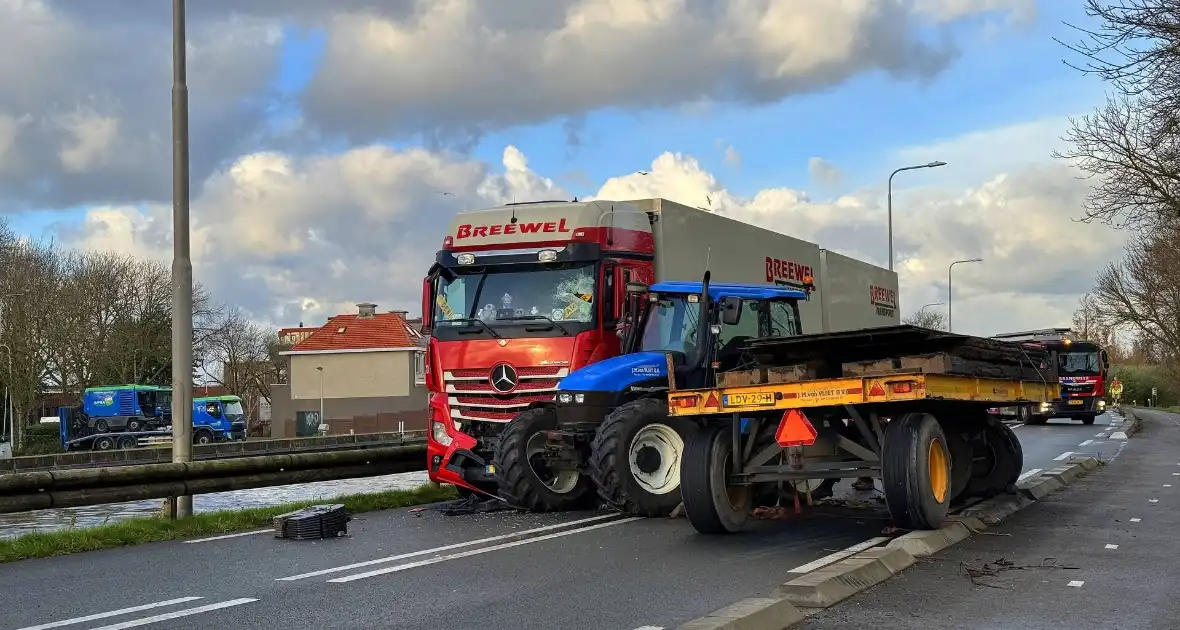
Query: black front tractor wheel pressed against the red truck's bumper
(525, 480)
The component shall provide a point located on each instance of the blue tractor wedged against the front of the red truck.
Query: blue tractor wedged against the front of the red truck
(608, 432)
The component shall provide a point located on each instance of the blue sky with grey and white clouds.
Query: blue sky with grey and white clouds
(326, 134)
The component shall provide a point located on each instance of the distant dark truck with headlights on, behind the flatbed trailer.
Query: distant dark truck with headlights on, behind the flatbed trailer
(1083, 369)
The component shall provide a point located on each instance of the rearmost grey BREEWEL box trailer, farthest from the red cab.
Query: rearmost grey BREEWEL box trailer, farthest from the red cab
(857, 294)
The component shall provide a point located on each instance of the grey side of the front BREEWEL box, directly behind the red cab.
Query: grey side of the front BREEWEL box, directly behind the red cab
(689, 239)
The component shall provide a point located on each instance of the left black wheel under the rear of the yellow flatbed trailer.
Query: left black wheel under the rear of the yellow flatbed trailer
(711, 504)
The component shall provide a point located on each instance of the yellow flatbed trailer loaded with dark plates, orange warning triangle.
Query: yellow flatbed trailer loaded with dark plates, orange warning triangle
(915, 417)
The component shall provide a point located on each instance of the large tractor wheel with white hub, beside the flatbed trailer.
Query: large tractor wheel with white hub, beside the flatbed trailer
(635, 458)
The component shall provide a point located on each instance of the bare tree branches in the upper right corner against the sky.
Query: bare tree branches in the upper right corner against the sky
(1129, 147)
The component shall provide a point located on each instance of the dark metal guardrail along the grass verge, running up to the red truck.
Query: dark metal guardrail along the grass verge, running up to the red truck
(24, 491)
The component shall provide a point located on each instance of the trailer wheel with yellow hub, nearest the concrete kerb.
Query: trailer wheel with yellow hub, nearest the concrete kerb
(916, 472)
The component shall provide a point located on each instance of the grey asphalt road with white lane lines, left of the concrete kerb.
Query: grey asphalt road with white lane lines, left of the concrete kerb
(428, 570)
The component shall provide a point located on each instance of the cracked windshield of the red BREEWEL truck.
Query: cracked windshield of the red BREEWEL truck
(517, 297)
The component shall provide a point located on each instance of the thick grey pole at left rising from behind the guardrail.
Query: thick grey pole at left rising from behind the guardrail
(182, 261)
